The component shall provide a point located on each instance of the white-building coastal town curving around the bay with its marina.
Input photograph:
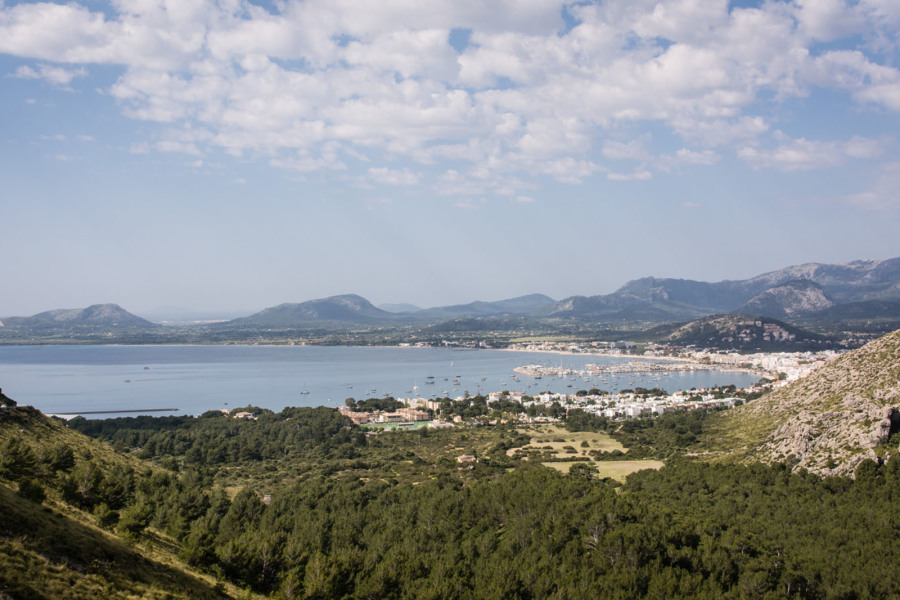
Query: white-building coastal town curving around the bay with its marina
(775, 370)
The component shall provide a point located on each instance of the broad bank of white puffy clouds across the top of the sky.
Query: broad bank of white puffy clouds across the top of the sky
(319, 84)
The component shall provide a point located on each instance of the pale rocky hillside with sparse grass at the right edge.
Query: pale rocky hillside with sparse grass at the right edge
(829, 422)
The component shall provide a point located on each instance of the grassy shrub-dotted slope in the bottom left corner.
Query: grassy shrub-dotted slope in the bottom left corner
(60, 493)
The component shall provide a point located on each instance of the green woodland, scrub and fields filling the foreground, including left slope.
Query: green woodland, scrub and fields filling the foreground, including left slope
(302, 504)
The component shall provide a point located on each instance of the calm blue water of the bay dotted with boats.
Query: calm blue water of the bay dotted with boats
(194, 379)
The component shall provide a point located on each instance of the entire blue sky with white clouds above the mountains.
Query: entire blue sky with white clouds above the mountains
(201, 155)
